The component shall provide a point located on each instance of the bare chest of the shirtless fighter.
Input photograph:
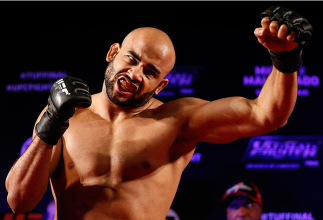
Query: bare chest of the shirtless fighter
(101, 153)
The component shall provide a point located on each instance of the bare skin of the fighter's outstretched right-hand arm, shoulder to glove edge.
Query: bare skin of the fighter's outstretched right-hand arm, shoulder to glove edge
(229, 119)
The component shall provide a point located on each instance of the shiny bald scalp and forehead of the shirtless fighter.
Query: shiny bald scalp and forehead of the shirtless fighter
(152, 42)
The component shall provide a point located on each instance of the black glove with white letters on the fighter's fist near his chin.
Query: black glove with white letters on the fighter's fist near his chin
(66, 94)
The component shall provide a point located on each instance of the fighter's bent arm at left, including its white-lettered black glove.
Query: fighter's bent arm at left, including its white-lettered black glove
(27, 180)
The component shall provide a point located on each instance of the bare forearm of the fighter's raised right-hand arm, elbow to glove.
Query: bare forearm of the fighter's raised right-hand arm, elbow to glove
(277, 98)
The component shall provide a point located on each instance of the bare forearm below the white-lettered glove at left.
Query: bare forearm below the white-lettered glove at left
(27, 180)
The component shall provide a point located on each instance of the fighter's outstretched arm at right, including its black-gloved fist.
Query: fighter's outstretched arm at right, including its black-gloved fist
(284, 33)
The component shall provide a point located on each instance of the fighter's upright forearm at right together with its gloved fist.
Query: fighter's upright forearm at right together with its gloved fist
(284, 33)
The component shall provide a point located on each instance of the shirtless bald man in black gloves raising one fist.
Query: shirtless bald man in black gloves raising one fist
(123, 156)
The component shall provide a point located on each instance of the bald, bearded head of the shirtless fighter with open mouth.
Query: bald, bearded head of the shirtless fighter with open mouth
(137, 68)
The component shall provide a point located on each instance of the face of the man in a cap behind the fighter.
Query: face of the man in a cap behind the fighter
(243, 208)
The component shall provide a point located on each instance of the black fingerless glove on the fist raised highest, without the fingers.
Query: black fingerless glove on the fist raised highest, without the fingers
(289, 61)
